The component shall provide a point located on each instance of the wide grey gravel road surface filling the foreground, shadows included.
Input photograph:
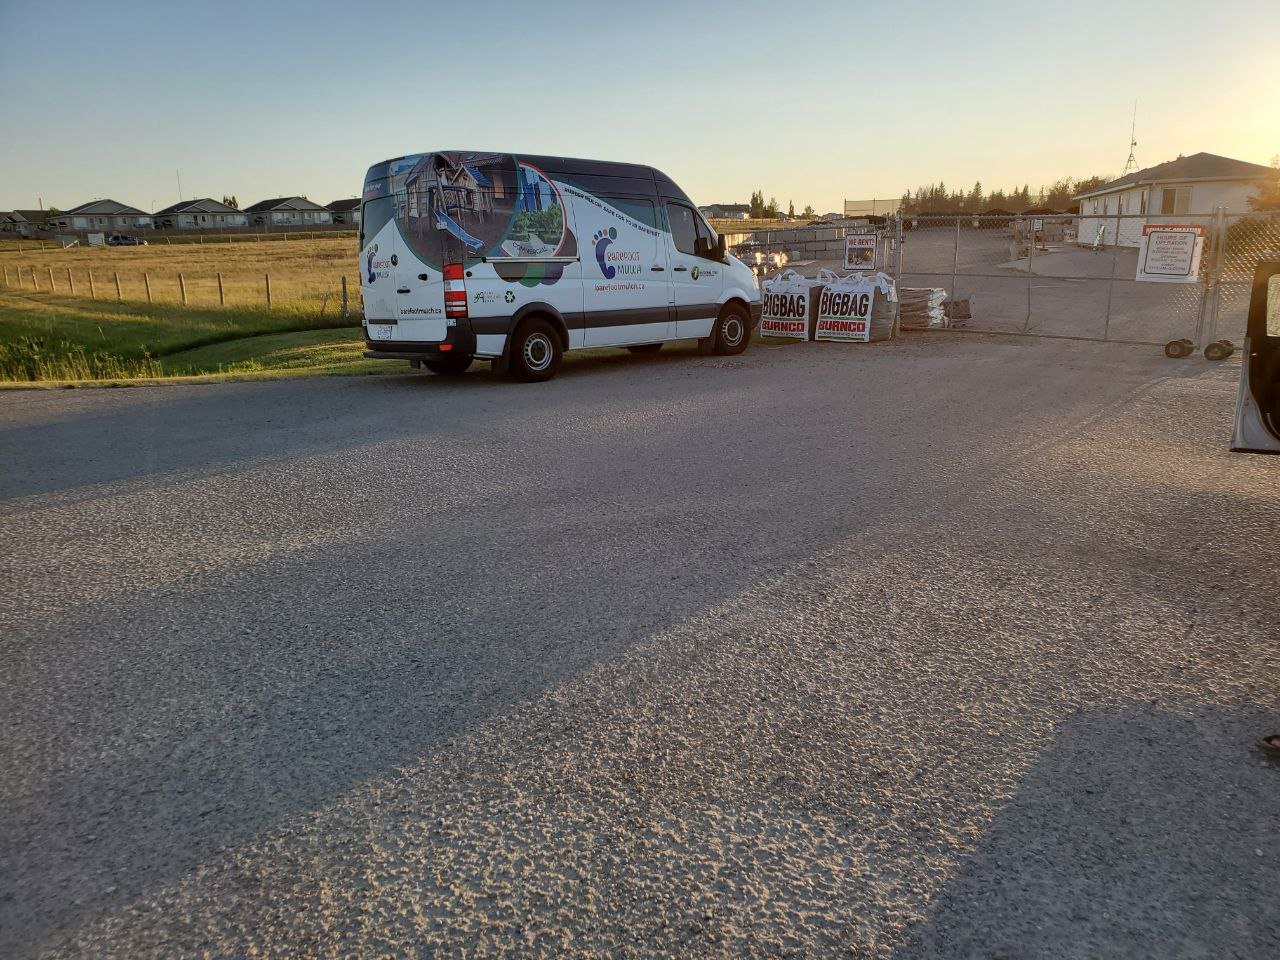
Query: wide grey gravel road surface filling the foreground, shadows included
(949, 648)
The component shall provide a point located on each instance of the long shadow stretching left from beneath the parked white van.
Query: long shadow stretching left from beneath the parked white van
(175, 429)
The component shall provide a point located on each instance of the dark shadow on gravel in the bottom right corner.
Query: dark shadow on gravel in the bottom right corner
(1140, 833)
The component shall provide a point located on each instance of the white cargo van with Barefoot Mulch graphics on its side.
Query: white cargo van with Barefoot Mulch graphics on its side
(518, 259)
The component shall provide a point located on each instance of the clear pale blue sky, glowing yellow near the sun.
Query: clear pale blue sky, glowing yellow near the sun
(811, 103)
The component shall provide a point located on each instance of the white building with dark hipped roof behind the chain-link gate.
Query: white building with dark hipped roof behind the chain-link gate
(1190, 189)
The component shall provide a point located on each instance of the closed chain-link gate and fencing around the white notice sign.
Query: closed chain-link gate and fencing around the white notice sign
(1066, 276)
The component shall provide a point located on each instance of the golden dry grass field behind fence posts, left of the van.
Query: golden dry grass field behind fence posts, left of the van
(304, 272)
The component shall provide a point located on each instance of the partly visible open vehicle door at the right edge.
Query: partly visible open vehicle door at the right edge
(1258, 405)
